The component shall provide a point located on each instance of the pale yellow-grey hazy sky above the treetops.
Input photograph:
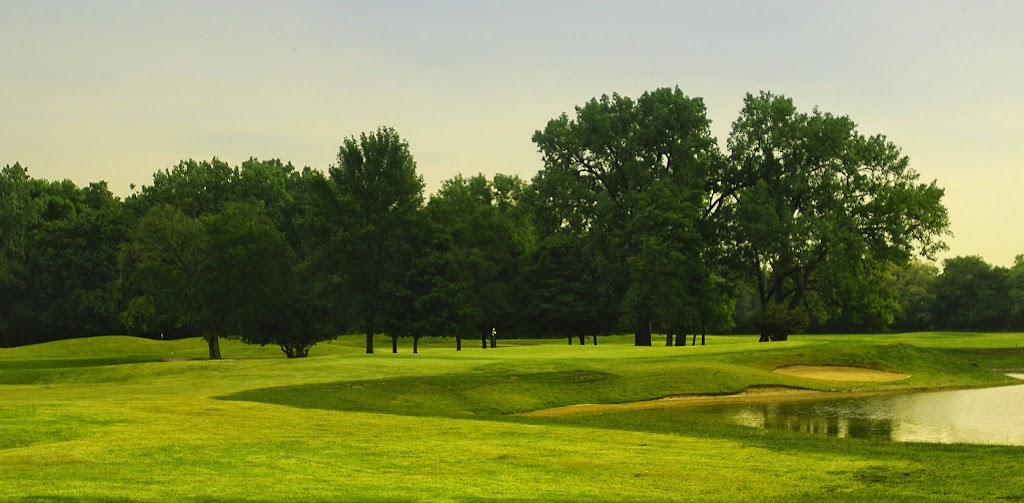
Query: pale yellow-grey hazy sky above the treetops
(117, 91)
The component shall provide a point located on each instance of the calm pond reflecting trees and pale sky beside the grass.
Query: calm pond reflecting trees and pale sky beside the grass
(993, 416)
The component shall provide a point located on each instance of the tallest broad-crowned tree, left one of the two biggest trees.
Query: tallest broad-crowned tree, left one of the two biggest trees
(600, 173)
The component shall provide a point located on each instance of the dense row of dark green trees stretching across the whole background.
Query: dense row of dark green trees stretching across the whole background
(636, 223)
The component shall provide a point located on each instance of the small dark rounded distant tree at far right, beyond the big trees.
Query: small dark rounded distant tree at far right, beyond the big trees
(971, 295)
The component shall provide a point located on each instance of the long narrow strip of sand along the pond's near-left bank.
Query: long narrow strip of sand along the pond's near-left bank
(750, 395)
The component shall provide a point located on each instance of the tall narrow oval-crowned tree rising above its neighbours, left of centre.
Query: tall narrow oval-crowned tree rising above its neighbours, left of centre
(375, 195)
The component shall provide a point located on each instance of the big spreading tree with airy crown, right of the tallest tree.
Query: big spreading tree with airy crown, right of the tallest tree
(817, 211)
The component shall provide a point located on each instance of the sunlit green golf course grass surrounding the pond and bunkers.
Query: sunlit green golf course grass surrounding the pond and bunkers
(127, 420)
